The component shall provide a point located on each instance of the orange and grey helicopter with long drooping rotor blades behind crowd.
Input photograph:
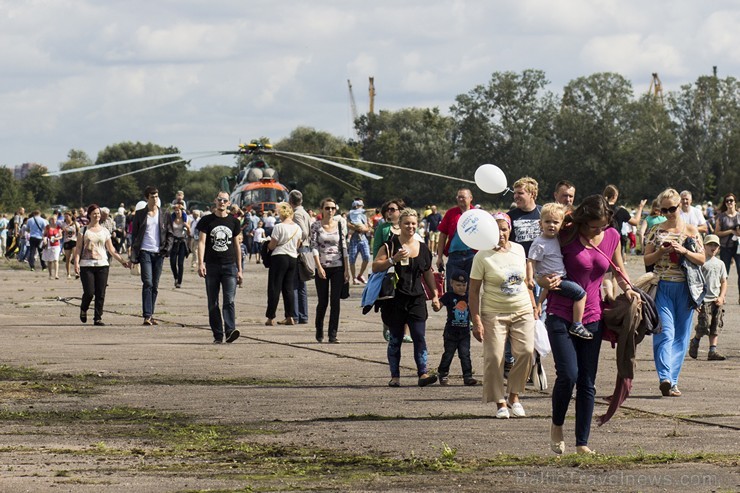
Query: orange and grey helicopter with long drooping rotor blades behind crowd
(257, 185)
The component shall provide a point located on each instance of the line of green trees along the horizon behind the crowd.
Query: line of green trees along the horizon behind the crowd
(596, 132)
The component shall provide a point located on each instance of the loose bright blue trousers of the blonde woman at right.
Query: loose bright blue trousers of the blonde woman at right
(676, 315)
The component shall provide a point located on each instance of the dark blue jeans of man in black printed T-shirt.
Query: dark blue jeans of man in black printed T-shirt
(221, 276)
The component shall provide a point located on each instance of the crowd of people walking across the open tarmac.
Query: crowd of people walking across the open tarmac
(551, 263)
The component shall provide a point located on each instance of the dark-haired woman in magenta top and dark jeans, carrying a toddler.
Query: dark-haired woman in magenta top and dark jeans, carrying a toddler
(576, 359)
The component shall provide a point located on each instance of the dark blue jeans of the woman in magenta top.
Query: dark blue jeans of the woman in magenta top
(576, 364)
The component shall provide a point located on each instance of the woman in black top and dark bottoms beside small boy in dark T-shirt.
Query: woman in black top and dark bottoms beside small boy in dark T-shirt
(411, 260)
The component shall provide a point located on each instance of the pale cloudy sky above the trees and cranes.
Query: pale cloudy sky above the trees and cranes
(205, 75)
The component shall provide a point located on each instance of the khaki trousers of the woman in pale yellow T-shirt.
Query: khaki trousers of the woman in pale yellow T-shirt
(519, 328)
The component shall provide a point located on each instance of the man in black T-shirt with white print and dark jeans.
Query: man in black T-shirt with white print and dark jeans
(219, 262)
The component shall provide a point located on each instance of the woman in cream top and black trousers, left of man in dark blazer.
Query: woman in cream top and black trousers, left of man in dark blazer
(91, 263)
